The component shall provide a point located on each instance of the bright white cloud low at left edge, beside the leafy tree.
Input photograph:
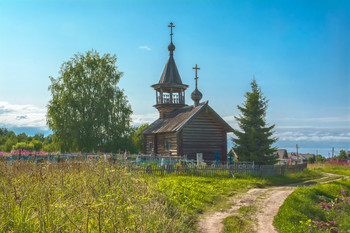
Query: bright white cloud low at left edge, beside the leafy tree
(16, 115)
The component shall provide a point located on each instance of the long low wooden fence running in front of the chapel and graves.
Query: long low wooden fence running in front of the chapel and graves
(168, 165)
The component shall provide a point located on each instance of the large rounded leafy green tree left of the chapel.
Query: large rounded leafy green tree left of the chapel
(87, 110)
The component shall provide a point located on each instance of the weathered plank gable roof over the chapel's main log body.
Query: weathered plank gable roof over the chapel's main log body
(178, 119)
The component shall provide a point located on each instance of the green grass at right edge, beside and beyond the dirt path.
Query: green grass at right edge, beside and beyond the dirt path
(321, 208)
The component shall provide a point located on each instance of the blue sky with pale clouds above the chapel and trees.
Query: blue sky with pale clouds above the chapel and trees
(299, 52)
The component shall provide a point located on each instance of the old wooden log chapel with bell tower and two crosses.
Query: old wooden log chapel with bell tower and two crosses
(184, 129)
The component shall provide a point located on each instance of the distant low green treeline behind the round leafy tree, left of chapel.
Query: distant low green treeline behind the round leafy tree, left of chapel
(9, 141)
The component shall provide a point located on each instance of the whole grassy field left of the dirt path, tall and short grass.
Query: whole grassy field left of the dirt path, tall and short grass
(101, 196)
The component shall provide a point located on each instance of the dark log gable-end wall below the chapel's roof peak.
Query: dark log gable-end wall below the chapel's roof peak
(204, 135)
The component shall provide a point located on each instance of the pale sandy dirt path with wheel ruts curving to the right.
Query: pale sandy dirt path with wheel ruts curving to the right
(268, 201)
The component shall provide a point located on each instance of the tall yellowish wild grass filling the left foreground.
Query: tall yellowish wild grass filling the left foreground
(89, 197)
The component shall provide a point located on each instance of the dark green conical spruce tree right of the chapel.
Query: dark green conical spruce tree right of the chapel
(254, 141)
